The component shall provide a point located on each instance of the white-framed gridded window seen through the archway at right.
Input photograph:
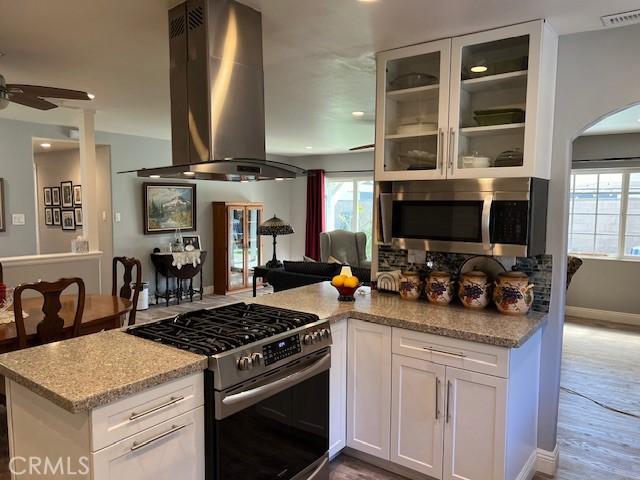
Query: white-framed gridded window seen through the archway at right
(604, 216)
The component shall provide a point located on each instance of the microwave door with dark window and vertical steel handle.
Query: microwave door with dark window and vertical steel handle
(442, 222)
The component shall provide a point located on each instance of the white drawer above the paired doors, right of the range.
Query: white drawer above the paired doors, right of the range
(476, 357)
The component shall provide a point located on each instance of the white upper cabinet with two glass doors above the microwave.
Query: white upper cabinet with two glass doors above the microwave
(474, 106)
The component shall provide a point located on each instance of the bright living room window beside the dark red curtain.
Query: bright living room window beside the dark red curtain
(349, 205)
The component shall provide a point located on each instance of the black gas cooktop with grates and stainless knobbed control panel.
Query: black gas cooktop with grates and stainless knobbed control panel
(241, 340)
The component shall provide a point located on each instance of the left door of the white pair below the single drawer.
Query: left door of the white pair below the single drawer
(417, 419)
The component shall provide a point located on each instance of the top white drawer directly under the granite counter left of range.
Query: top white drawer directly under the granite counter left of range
(126, 417)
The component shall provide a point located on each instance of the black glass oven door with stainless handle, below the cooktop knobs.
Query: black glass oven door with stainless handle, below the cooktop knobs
(275, 426)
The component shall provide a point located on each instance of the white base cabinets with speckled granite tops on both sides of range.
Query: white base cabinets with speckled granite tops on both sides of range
(408, 381)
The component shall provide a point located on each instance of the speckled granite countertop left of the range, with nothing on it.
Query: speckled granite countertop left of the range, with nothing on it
(85, 372)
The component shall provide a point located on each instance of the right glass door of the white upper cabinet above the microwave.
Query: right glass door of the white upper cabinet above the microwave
(491, 101)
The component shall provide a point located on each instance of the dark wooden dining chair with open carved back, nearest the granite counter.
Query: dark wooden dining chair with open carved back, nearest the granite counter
(51, 327)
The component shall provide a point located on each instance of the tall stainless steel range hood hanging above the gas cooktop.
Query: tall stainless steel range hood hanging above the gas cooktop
(217, 95)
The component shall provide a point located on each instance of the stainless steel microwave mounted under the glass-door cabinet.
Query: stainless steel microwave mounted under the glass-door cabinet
(488, 216)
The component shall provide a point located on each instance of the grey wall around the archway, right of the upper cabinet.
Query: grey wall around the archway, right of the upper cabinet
(597, 75)
